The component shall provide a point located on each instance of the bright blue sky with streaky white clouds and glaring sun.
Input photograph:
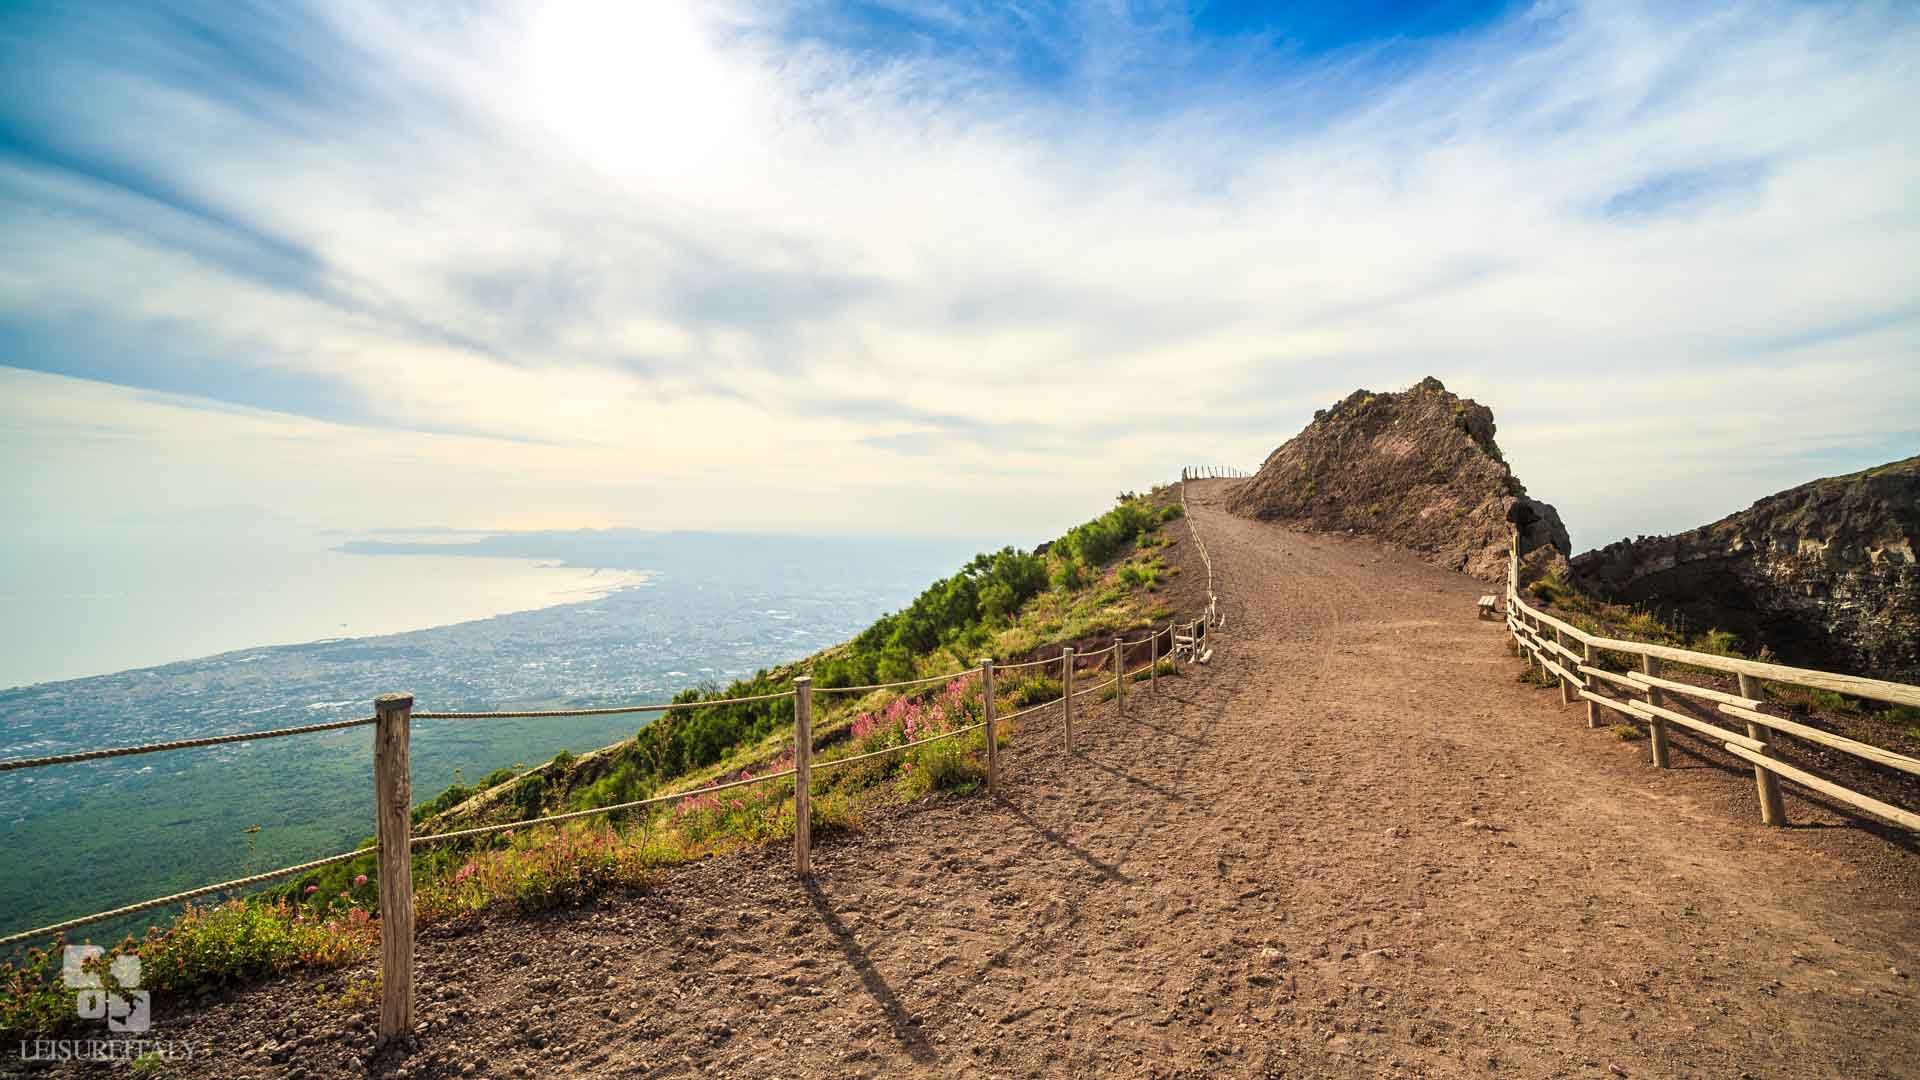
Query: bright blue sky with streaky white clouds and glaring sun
(934, 266)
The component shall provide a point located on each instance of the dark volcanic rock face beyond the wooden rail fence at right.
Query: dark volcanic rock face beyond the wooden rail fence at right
(1823, 574)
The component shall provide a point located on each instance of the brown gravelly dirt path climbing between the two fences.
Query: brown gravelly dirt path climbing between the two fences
(1355, 847)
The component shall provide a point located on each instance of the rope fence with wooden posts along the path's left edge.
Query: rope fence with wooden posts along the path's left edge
(393, 777)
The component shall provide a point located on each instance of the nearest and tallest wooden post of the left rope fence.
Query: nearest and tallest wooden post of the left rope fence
(393, 779)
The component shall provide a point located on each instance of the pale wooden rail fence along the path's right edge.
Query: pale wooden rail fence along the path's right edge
(1570, 658)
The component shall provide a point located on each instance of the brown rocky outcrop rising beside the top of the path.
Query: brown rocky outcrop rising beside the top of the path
(1418, 468)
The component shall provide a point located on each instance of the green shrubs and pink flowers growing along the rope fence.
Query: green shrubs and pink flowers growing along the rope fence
(1093, 581)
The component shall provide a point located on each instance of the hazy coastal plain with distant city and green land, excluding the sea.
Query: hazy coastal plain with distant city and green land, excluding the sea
(715, 608)
